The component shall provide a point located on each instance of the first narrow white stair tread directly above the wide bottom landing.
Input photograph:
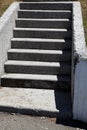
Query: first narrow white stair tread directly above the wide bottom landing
(36, 77)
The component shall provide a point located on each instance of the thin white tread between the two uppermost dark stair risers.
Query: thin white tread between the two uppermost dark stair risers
(68, 11)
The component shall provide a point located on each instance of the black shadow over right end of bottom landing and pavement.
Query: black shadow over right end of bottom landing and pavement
(63, 104)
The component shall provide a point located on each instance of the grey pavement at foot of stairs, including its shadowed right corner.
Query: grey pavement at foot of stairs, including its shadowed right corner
(23, 122)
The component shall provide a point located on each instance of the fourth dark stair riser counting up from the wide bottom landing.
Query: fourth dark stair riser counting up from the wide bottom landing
(41, 45)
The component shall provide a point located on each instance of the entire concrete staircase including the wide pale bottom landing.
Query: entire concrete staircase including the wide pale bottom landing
(39, 57)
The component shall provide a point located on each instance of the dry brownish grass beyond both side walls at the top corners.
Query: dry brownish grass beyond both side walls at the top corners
(5, 3)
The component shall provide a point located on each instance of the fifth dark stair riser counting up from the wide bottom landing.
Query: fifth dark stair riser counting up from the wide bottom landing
(42, 34)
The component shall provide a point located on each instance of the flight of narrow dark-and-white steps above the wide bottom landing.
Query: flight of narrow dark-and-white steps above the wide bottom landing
(40, 54)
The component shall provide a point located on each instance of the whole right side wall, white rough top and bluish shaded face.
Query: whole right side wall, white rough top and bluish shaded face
(80, 77)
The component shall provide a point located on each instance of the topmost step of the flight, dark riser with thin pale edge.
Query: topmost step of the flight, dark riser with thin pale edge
(45, 5)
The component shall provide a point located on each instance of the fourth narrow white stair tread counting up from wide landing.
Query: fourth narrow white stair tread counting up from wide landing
(38, 39)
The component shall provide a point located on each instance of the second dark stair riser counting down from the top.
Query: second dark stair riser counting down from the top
(27, 14)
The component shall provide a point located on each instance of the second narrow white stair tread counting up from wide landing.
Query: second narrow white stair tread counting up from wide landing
(35, 63)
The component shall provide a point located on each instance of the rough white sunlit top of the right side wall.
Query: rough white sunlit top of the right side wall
(78, 31)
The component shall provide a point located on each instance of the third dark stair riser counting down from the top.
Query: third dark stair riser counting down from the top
(42, 24)
